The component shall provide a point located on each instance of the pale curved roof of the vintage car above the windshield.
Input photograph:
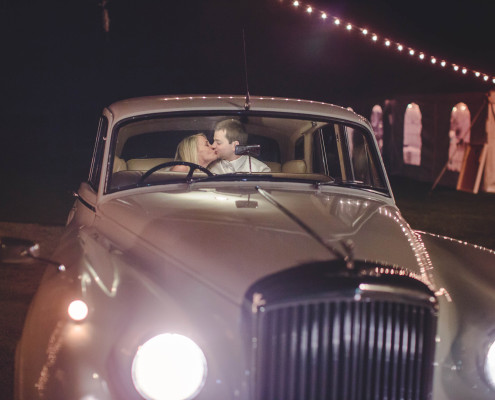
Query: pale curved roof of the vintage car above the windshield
(156, 104)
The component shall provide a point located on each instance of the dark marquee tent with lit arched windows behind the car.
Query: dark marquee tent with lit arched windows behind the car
(426, 137)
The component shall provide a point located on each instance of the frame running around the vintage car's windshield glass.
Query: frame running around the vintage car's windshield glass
(369, 141)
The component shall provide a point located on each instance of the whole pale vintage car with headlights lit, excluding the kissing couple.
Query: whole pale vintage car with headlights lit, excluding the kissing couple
(304, 282)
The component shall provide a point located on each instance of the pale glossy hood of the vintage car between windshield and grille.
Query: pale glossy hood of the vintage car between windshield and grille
(230, 237)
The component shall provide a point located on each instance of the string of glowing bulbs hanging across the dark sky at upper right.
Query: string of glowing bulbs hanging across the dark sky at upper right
(370, 35)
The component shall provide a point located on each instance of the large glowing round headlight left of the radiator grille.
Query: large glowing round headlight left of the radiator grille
(169, 366)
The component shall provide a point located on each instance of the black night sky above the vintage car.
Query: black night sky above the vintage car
(60, 68)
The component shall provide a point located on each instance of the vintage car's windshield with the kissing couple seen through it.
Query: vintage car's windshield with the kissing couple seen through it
(269, 147)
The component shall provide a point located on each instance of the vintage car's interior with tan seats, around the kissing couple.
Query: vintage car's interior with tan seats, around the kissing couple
(307, 149)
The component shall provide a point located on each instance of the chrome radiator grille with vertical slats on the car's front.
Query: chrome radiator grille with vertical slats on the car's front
(344, 349)
